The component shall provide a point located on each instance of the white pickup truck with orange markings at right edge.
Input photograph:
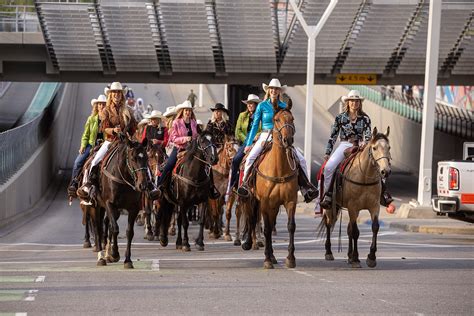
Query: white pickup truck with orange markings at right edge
(456, 187)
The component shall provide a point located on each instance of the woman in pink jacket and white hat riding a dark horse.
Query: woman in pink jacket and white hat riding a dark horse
(183, 131)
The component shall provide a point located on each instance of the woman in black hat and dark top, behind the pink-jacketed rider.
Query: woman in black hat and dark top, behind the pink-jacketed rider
(219, 126)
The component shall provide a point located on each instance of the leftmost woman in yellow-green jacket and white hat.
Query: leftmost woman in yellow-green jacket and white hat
(88, 140)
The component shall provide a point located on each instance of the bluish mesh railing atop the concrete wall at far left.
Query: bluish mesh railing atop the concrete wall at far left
(17, 145)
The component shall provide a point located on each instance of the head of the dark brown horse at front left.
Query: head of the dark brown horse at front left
(137, 163)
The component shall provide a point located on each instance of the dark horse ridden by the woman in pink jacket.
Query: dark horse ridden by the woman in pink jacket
(189, 185)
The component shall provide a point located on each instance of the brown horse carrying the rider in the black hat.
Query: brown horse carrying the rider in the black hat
(221, 179)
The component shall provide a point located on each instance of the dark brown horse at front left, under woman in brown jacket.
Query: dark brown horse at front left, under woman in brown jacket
(123, 178)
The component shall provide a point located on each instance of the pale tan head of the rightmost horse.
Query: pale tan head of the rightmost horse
(380, 151)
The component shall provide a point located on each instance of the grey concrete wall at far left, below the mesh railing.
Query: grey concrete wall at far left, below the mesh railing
(20, 195)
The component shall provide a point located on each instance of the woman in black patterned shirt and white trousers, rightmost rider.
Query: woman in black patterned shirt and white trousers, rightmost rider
(353, 127)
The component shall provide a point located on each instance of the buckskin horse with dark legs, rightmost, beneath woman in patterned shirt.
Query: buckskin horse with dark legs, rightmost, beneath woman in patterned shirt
(361, 188)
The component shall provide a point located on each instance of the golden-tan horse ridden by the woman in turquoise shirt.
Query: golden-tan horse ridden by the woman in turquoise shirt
(277, 184)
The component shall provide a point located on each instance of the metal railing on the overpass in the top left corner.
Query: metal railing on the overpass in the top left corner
(18, 18)
